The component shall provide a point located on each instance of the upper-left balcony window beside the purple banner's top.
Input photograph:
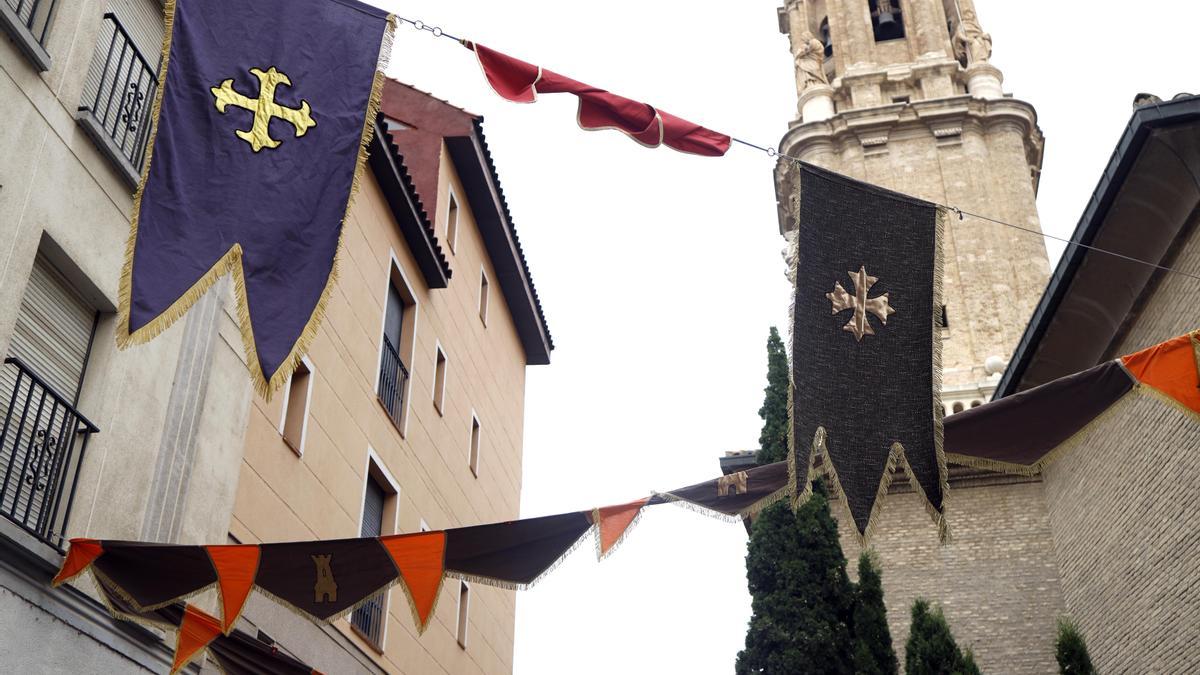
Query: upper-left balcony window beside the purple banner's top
(121, 91)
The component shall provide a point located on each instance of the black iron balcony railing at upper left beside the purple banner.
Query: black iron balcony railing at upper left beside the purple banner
(121, 92)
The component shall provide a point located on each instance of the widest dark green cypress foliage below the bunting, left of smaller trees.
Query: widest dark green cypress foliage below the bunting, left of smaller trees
(803, 600)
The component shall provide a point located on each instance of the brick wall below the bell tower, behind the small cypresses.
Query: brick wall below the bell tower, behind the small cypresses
(998, 581)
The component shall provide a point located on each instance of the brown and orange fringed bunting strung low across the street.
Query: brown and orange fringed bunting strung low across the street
(326, 580)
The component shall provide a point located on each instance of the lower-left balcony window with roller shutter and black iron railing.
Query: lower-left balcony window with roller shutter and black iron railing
(43, 434)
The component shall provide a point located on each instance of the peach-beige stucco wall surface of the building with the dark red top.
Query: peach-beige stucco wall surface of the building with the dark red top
(320, 495)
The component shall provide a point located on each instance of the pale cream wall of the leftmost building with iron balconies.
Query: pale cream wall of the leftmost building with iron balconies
(61, 193)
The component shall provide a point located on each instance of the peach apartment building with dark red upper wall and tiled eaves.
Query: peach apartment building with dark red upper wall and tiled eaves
(409, 414)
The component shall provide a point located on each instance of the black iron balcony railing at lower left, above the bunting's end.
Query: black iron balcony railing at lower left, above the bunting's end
(43, 441)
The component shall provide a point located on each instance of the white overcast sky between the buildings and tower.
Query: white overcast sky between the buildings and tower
(661, 273)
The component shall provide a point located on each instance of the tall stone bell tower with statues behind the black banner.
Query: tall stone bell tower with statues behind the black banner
(903, 94)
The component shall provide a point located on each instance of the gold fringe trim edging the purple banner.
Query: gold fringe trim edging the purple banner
(231, 262)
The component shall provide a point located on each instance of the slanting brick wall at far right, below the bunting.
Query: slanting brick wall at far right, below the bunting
(1125, 511)
